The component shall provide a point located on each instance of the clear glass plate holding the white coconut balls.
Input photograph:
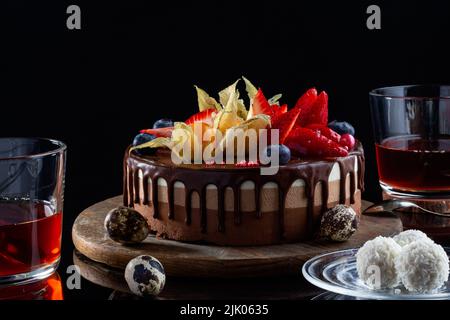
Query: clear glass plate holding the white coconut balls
(336, 272)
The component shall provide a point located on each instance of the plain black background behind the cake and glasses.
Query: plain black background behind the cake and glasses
(134, 62)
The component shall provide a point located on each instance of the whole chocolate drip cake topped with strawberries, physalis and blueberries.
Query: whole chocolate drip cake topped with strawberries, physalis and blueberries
(320, 165)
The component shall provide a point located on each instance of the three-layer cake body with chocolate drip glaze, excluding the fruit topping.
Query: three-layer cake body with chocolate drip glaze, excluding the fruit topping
(198, 203)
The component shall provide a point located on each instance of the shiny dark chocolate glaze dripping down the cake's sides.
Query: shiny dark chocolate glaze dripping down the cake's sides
(226, 176)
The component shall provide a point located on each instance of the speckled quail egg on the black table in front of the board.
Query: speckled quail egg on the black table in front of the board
(145, 276)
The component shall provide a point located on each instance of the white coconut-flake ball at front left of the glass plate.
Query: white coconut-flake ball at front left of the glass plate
(375, 263)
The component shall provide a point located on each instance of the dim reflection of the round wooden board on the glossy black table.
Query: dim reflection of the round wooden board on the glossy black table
(269, 288)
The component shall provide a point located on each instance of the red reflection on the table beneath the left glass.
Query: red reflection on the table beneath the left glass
(46, 289)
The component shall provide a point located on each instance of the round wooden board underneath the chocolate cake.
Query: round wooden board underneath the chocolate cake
(194, 260)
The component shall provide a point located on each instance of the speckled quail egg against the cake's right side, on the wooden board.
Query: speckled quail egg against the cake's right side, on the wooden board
(339, 223)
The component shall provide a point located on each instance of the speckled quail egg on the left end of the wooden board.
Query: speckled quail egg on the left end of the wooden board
(126, 225)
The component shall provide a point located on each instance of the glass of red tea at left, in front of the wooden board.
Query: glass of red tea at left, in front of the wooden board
(31, 204)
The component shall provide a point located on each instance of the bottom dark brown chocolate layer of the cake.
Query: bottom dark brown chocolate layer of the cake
(252, 230)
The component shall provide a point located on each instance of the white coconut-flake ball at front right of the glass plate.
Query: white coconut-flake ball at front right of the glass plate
(422, 266)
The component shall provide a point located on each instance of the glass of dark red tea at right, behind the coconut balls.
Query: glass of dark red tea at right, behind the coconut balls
(412, 135)
